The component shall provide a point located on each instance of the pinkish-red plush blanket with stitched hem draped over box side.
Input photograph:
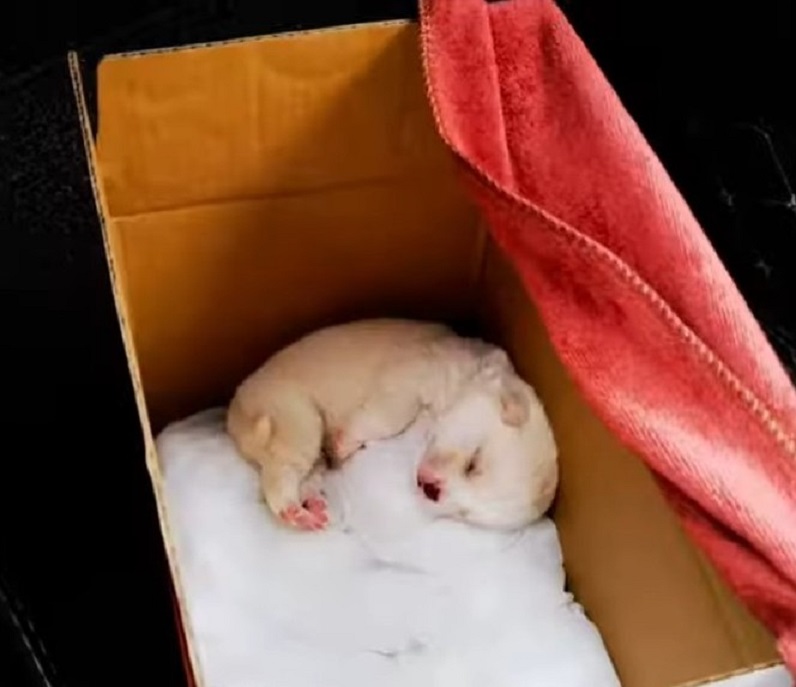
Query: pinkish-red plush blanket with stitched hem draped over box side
(639, 307)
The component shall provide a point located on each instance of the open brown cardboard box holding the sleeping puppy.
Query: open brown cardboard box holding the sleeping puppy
(256, 190)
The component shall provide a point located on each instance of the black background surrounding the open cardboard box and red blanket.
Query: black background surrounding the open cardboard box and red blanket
(84, 592)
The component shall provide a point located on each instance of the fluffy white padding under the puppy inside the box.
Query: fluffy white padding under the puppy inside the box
(385, 597)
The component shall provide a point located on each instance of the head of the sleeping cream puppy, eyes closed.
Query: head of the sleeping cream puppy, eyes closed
(492, 458)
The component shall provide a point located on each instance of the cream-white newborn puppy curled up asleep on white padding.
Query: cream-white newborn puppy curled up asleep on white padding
(491, 459)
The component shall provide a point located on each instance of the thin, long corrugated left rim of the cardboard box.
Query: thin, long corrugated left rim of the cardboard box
(152, 463)
